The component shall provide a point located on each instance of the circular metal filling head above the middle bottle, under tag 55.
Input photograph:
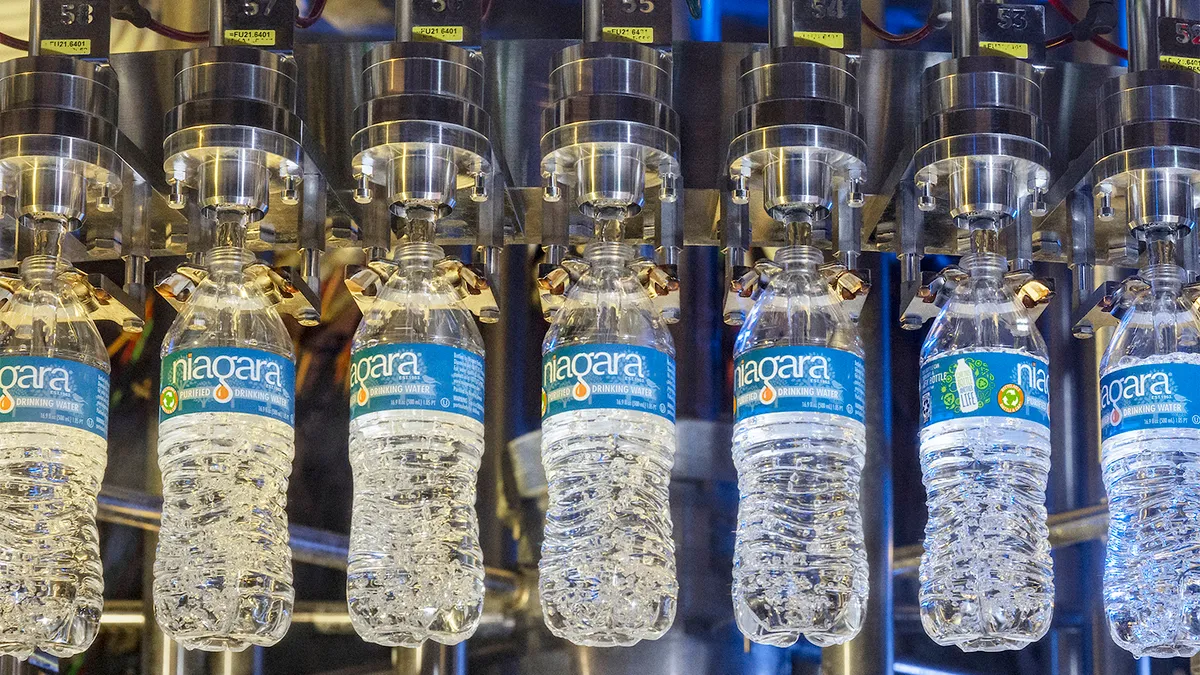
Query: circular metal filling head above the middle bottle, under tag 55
(610, 132)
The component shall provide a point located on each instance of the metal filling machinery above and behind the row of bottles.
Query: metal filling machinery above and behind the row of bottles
(709, 133)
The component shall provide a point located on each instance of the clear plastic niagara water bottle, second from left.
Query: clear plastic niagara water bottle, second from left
(223, 575)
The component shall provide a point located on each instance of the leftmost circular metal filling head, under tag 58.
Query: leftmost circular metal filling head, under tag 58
(58, 138)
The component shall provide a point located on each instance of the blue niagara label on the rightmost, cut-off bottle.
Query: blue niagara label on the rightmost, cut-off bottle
(1162, 396)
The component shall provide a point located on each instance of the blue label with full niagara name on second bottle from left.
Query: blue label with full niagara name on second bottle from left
(227, 380)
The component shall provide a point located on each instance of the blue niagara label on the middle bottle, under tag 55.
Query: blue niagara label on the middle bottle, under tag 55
(608, 377)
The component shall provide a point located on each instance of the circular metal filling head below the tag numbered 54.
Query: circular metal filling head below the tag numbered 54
(799, 132)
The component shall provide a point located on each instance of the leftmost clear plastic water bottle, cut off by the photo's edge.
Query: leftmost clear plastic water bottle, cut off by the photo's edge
(53, 450)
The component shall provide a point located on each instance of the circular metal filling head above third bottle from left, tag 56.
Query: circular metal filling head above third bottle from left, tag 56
(423, 130)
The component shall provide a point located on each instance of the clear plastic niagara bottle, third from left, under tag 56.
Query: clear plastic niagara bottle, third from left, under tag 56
(417, 439)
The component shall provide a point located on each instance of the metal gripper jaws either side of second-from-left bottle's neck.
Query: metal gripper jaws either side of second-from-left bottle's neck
(298, 301)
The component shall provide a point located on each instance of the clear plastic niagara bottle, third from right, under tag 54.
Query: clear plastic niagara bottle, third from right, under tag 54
(800, 444)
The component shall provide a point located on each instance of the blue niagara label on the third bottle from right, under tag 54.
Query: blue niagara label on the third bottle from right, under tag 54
(800, 380)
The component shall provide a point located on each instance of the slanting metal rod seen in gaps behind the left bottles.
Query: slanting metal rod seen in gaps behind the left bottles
(309, 545)
